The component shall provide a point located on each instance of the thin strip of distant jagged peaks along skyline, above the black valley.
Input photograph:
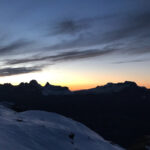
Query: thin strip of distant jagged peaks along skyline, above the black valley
(49, 89)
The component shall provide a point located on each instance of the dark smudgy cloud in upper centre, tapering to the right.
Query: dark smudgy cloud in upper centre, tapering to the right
(72, 26)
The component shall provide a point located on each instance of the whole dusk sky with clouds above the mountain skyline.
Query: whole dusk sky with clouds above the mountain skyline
(74, 43)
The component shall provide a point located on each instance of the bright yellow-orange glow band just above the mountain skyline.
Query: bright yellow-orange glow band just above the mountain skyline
(74, 81)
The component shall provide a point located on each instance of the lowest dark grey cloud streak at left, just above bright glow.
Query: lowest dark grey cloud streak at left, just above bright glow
(20, 70)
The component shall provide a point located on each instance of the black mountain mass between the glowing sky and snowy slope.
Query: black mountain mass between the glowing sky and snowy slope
(119, 112)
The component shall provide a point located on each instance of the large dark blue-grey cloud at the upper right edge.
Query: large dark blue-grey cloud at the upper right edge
(131, 26)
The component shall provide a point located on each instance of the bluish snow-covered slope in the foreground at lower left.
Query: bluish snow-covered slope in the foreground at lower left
(39, 130)
